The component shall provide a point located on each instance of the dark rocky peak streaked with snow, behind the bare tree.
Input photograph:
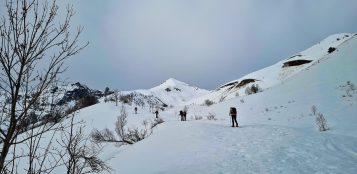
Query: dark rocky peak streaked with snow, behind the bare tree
(80, 91)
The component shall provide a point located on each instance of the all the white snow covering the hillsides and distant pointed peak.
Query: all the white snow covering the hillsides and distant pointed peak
(277, 132)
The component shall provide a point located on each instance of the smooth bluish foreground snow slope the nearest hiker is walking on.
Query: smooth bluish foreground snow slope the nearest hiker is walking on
(278, 132)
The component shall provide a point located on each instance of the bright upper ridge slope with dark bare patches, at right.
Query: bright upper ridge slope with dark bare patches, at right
(279, 72)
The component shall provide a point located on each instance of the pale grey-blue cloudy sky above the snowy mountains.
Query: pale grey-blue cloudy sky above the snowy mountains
(140, 43)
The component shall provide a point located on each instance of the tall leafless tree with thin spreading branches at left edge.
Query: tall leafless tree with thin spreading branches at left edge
(34, 45)
